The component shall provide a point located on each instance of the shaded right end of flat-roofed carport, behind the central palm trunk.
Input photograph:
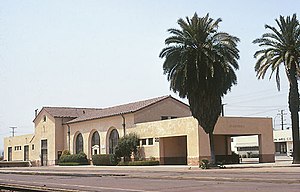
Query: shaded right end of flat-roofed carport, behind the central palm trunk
(229, 127)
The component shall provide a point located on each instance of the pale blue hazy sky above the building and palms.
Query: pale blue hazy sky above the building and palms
(103, 53)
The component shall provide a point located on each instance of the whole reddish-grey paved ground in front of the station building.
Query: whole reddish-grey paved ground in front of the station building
(248, 173)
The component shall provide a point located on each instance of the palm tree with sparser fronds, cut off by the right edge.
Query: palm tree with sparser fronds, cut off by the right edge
(282, 47)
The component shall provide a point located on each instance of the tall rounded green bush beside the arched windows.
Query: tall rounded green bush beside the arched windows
(127, 145)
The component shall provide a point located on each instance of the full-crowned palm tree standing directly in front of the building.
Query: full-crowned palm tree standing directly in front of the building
(200, 64)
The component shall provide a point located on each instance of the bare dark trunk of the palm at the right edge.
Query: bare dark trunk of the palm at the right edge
(294, 109)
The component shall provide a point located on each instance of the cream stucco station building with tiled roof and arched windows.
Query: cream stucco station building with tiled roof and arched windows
(167, 131)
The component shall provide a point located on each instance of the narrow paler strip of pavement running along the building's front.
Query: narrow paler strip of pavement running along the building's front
(146, 171)
